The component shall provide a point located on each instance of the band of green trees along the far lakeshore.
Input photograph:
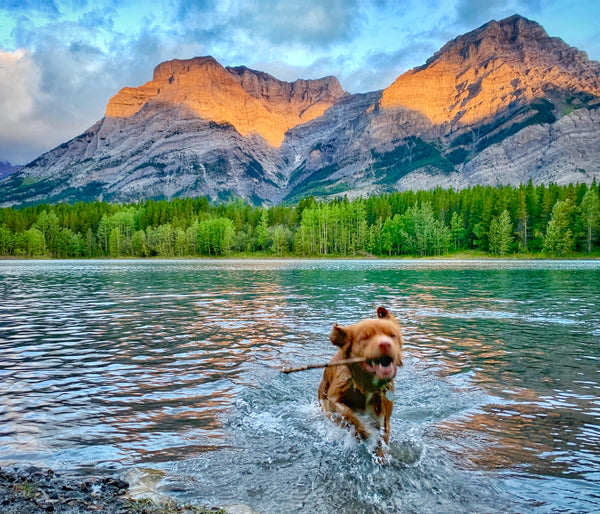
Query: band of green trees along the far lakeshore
(525, 221)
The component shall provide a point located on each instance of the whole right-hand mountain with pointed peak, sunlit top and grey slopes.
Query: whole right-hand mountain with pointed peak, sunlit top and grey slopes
(500, 105)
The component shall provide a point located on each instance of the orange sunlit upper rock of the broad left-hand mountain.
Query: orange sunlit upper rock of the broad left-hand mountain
(250, 101)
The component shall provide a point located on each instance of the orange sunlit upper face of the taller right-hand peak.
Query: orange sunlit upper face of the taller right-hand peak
(501, 66)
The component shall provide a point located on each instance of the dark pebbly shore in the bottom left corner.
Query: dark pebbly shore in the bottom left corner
(35, 491)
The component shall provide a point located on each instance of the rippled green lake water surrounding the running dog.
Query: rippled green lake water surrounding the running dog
(175, 366)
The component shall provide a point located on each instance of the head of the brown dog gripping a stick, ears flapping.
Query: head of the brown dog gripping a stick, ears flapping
(379, 341)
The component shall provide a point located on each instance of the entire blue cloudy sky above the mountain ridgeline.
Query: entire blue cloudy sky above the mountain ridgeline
(61, 61)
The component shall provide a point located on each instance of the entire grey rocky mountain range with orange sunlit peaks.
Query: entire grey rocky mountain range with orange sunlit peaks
(502, 104)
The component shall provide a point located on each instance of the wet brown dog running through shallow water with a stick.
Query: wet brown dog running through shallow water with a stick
(361, 395)
